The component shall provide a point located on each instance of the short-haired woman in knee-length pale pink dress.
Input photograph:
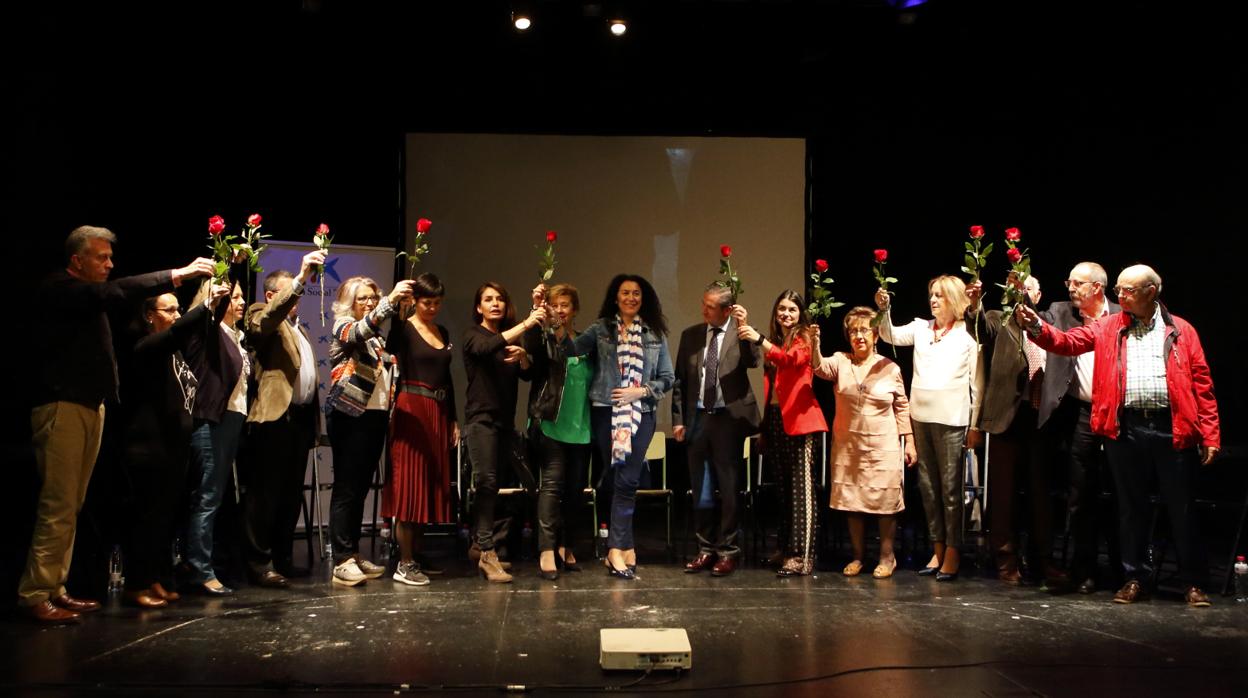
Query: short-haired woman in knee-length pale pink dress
(872, 439)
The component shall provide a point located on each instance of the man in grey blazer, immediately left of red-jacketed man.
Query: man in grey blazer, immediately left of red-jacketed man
(1065, 420)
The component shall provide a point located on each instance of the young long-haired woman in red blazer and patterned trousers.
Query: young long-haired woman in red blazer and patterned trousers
(791, 423)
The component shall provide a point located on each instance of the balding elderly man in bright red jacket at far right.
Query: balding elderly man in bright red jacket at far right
(1153, 399)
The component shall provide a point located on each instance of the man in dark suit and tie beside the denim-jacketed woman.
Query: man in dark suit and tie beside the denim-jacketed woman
(714, 410)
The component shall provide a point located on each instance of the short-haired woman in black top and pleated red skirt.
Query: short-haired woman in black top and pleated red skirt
(424, 429)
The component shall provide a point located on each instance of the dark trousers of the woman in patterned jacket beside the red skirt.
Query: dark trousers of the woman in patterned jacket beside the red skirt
(358, 445)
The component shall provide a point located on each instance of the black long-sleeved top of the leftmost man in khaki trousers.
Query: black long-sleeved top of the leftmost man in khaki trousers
(76, 363)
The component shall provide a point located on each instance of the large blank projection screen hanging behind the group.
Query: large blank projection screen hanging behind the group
(657, 207)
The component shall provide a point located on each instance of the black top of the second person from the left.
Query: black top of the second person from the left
(159, 394)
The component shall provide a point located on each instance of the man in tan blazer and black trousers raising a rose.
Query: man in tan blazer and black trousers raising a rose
(283, 424)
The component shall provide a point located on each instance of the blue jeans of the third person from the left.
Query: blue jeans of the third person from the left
(213, 454)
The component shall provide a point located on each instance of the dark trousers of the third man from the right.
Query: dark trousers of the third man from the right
(1015, 456)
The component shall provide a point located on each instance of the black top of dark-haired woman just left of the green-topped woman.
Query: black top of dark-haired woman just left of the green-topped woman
(492, 384)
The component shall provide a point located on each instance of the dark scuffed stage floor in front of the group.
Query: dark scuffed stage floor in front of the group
(752, 635)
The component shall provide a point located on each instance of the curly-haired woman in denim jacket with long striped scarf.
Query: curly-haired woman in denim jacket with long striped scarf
(633, 373)
